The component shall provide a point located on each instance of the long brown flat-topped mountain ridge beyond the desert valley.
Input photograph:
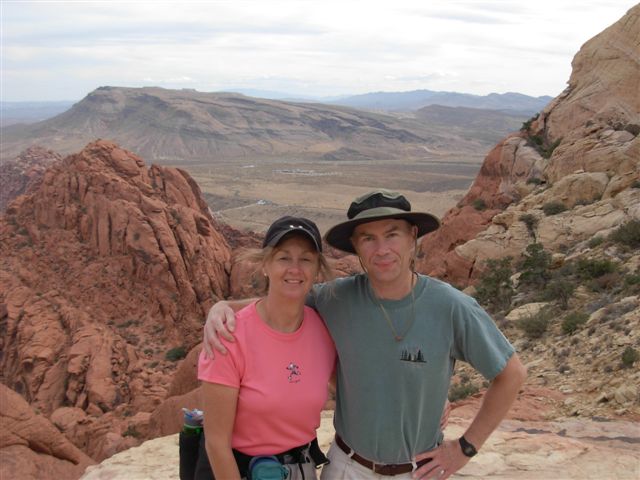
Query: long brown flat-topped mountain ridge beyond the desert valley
(178, 126)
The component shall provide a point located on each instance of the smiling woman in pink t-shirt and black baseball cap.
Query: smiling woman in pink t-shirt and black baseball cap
(265, 396)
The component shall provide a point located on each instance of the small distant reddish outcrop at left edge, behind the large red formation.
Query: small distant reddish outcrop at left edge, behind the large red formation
(17, 176)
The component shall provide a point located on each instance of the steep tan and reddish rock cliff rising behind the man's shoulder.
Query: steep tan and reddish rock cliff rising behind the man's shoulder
(583, 150)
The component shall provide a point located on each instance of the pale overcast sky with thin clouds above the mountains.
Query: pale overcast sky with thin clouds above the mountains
(55, 50)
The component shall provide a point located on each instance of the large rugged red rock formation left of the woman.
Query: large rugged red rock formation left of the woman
(104, 268)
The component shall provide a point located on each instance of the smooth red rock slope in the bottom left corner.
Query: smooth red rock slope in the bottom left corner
(31, 447)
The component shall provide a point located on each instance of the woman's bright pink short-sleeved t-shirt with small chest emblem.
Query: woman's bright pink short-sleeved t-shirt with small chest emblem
(282, 381)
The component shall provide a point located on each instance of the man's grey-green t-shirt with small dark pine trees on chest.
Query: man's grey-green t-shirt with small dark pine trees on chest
(391, 393)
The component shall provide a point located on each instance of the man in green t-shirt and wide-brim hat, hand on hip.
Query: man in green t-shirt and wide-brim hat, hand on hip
(398, 335)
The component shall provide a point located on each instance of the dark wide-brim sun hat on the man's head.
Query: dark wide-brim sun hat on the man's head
(377, 205)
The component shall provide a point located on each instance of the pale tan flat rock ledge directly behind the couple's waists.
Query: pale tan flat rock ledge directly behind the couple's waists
(565, 449)
